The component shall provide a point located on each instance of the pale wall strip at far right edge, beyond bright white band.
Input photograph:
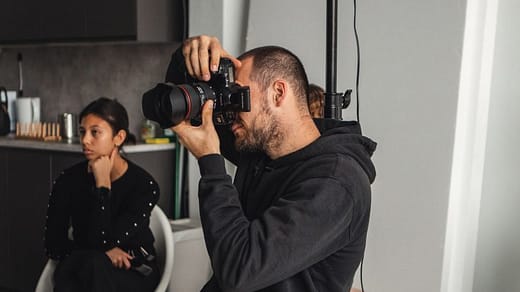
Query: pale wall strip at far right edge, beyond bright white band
(498, 247)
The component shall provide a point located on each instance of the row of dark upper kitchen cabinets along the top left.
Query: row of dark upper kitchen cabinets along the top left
(36, 21)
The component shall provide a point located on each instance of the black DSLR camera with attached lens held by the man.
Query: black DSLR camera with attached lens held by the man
(169, 104)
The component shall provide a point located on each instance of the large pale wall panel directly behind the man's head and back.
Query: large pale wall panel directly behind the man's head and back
(411, 55)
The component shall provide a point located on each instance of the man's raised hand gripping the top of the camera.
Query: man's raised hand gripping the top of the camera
(202, 54)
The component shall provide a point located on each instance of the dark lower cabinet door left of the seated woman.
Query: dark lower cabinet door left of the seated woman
(28, 193)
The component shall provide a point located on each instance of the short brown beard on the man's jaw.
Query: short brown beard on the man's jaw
(261, 137)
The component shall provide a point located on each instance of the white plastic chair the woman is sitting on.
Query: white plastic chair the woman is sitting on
(164, 248)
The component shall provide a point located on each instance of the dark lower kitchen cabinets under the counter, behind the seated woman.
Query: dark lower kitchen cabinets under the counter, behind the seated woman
(25, 183)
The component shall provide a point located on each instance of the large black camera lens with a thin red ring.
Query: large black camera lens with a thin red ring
(169, 104)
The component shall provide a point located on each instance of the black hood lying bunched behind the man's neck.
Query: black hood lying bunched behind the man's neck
(337, 137)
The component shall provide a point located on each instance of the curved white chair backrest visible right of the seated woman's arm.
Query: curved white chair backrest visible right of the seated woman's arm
(164, 246)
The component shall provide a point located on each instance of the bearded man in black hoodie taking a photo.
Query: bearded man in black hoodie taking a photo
(295, 218)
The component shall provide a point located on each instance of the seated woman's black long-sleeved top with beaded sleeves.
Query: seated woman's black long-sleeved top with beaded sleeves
(100, 218)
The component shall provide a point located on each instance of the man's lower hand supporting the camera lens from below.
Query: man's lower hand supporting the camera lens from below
(202, 140)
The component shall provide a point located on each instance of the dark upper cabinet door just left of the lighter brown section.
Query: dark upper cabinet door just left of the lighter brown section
(114, 19)
